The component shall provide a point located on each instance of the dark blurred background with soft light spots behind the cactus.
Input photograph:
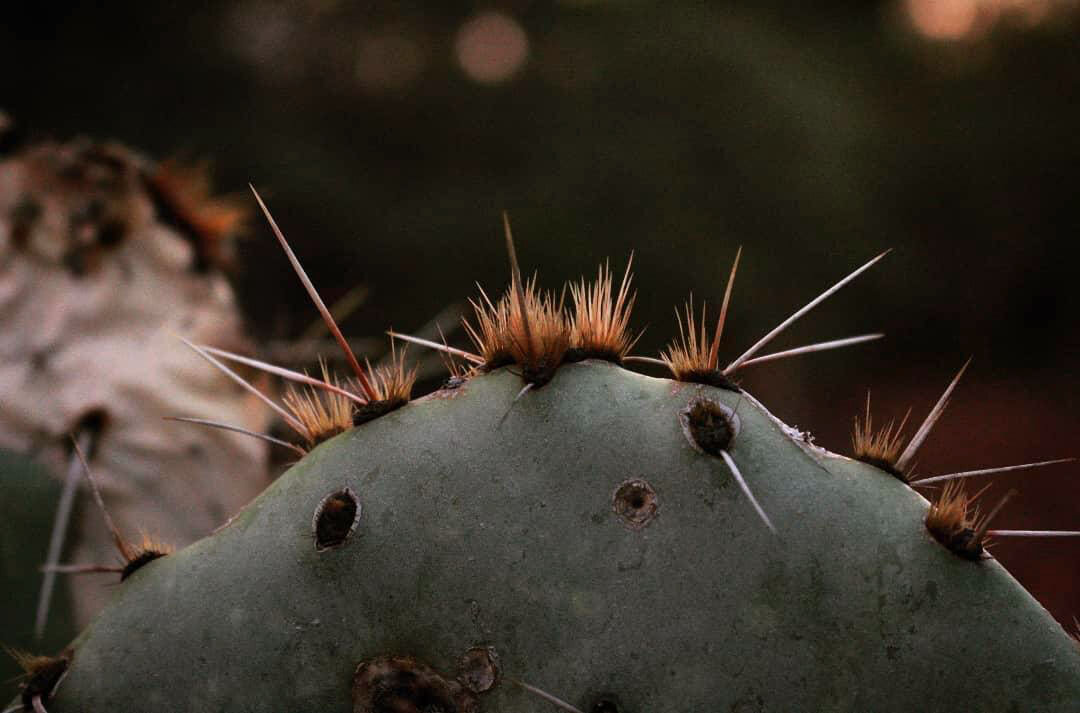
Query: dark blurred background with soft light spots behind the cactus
(388, 137)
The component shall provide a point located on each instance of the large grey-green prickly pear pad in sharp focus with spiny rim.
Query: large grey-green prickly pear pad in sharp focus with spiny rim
(505, 518)
